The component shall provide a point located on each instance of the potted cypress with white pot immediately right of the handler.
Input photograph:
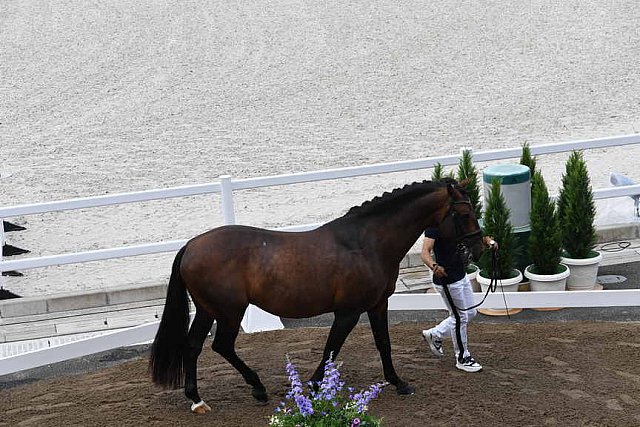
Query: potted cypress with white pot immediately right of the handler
(498, 225)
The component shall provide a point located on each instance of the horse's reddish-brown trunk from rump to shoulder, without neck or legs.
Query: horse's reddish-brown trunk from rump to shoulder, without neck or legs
(291, 274)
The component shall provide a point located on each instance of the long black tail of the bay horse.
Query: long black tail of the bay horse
(167, 350)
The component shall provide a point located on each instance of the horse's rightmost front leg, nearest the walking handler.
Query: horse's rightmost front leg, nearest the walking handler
(378, 318)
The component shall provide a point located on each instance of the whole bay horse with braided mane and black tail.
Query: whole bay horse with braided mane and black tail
(347, 266)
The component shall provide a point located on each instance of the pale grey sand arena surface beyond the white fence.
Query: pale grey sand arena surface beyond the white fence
(107, 97)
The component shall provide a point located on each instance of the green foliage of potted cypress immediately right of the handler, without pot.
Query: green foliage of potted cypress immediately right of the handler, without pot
(497, 225)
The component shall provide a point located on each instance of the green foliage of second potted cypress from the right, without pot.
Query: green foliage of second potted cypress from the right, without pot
(545, 240)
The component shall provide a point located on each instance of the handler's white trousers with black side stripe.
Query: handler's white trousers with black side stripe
(461, 294)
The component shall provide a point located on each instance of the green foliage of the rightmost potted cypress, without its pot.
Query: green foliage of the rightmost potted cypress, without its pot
(576, 209)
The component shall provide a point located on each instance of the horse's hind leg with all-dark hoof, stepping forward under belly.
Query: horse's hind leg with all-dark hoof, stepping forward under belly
(224, 344)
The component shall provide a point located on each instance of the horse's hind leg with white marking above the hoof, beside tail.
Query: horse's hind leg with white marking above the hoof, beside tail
(197, 334)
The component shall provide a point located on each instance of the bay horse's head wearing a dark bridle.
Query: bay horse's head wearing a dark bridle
(460, 223)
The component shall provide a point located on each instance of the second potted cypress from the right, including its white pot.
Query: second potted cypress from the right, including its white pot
(546, 273)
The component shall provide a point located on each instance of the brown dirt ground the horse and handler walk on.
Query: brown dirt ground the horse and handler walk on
(569, 374)
